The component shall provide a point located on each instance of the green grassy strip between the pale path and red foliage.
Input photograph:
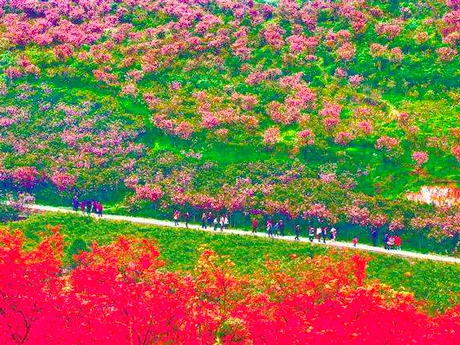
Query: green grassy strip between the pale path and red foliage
(436, 283)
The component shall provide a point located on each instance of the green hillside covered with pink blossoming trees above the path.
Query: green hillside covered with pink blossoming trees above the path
(314, 109)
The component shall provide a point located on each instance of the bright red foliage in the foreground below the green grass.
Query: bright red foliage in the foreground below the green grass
(120, 293)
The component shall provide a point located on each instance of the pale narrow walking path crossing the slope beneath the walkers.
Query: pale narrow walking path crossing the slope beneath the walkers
(151, 221)
